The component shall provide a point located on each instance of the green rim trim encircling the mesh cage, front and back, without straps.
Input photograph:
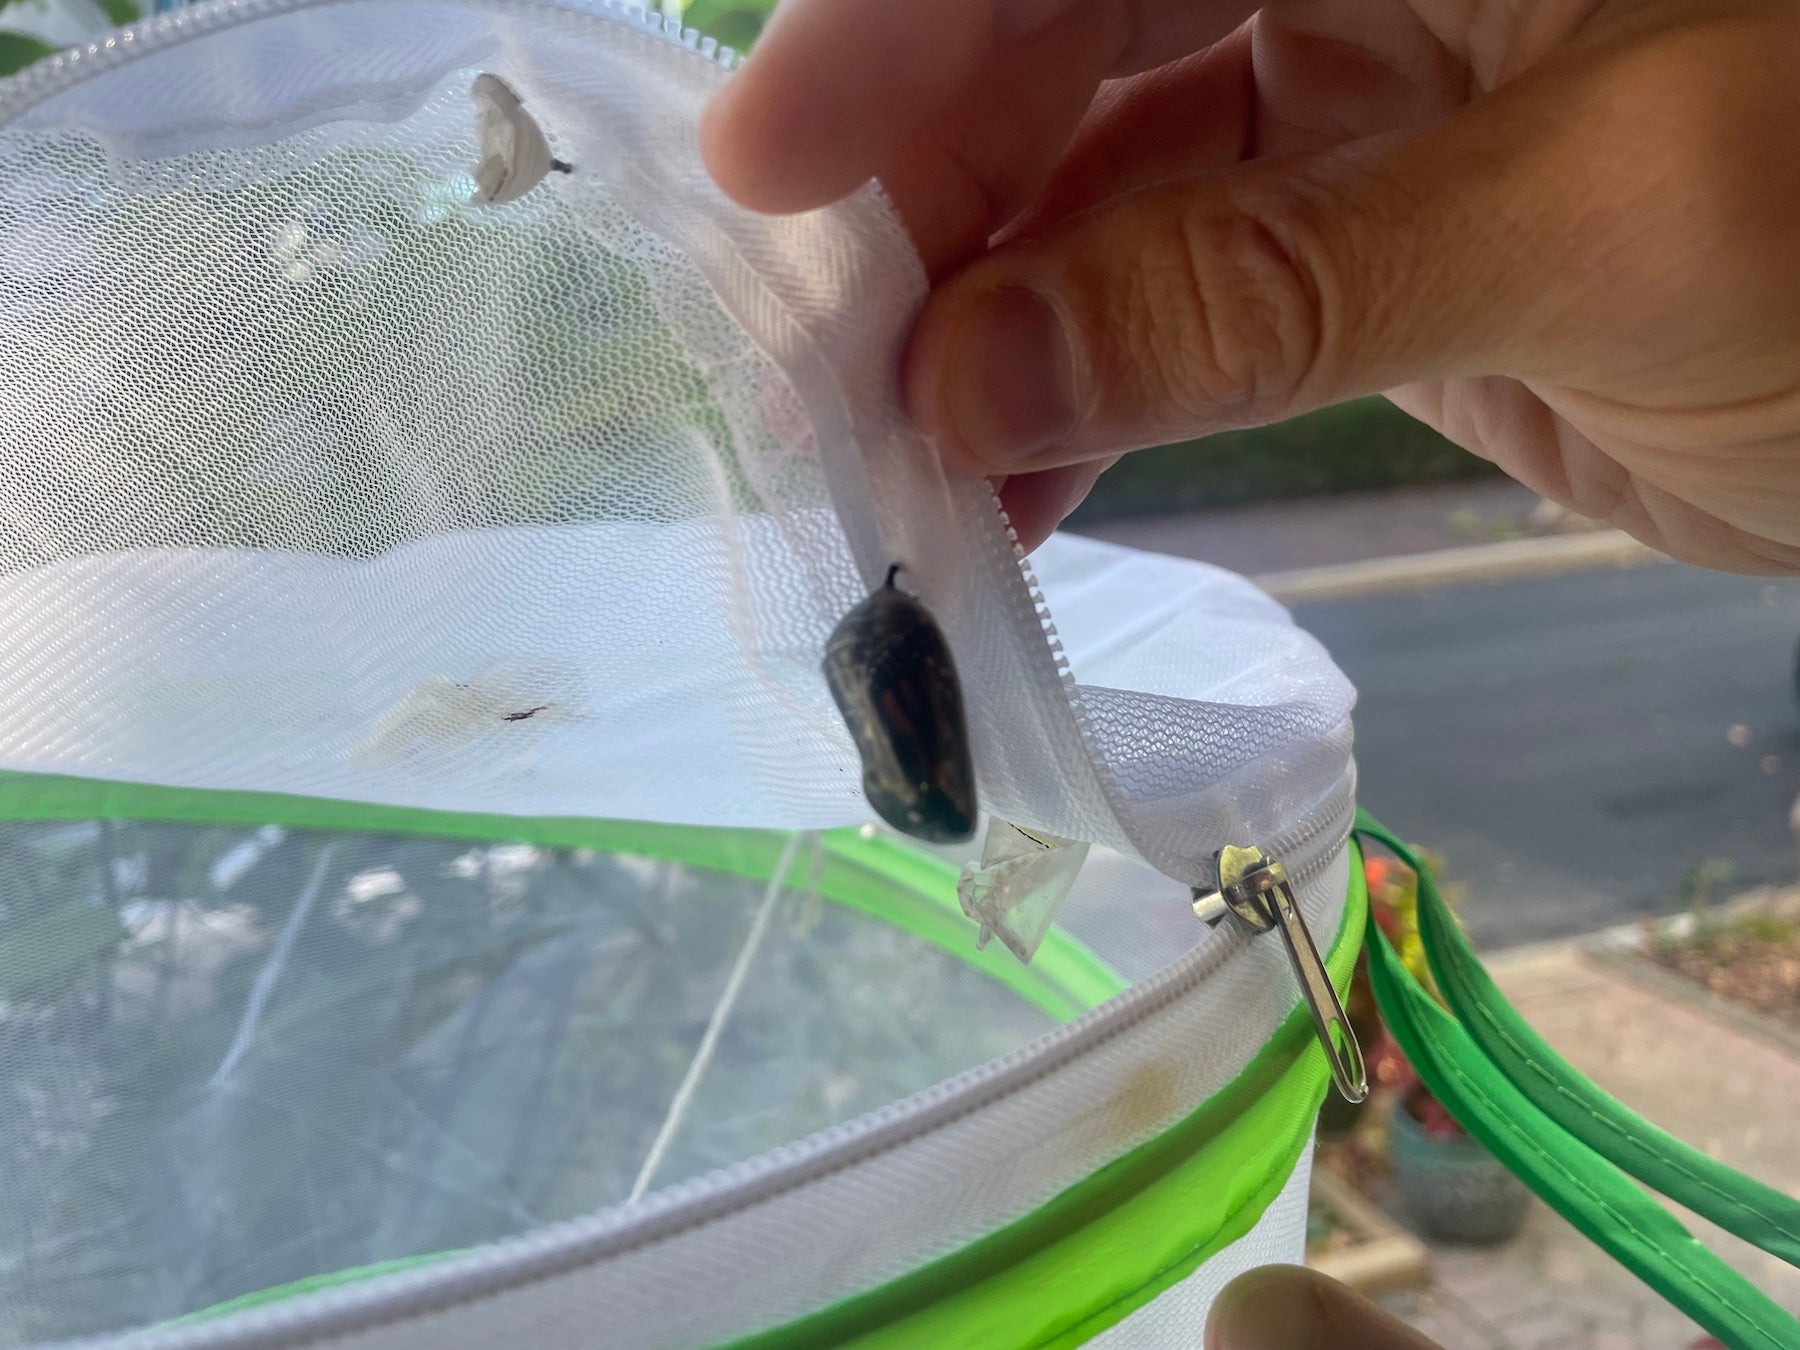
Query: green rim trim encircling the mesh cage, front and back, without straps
(1056, 1277)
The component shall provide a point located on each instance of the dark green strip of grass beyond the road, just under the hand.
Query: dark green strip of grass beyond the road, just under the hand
(1353, 447)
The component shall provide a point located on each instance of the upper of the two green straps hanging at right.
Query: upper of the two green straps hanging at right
(1662, 1162)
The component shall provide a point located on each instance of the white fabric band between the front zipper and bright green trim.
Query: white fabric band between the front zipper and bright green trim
(804, 1227)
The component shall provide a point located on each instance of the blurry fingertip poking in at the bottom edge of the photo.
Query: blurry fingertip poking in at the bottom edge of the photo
(1286, 1308)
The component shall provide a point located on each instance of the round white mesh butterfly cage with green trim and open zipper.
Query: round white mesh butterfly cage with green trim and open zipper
(514, 753)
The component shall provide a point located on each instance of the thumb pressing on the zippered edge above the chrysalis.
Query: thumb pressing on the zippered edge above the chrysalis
(1239, 300)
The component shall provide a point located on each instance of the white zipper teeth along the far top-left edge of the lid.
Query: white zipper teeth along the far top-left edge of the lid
(53, 75)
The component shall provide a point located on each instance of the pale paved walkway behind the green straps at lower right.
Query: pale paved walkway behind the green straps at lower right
(1714, 1083)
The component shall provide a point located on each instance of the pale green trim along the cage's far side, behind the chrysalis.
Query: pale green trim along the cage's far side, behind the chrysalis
(876, 876)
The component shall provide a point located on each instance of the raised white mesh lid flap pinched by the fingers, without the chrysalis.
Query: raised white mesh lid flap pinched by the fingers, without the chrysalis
(325, 472)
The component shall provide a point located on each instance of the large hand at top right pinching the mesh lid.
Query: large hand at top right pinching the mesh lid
(1565, 233)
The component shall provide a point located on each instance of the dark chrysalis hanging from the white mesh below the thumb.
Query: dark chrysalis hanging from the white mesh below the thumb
(895, 683)
